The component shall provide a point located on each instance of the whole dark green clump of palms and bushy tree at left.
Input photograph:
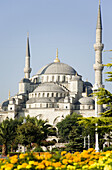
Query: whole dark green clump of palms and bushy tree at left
(23, 132)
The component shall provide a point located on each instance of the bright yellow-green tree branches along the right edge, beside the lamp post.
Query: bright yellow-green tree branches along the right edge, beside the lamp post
(104, 122)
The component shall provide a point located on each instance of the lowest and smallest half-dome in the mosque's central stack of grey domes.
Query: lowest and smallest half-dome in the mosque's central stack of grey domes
(39, 100)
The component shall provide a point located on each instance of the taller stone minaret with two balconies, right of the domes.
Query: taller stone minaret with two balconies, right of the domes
(98, 46)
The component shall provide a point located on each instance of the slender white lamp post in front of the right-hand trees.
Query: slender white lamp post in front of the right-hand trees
(95, 88)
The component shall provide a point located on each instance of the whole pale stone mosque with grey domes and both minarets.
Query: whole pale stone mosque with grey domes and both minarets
(56, 90)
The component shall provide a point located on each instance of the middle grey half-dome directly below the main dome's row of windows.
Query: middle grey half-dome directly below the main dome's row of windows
(48, 87)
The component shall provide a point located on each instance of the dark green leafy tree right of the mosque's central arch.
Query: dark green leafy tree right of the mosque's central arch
(69, 131)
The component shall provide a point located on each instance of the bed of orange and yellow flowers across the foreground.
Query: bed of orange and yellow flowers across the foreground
(88, 159)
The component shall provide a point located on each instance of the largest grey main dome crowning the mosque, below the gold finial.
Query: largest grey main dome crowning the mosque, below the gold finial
(57, 68)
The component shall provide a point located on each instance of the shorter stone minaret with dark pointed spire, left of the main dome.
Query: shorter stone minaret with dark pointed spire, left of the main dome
(27, 69)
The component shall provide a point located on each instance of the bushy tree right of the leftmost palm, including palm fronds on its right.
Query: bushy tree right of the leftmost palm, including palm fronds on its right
(33, 131)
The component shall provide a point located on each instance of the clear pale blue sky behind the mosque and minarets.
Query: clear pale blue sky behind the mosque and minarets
(69, 25)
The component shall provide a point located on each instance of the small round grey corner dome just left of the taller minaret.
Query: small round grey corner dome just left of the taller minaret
(86, 101)
